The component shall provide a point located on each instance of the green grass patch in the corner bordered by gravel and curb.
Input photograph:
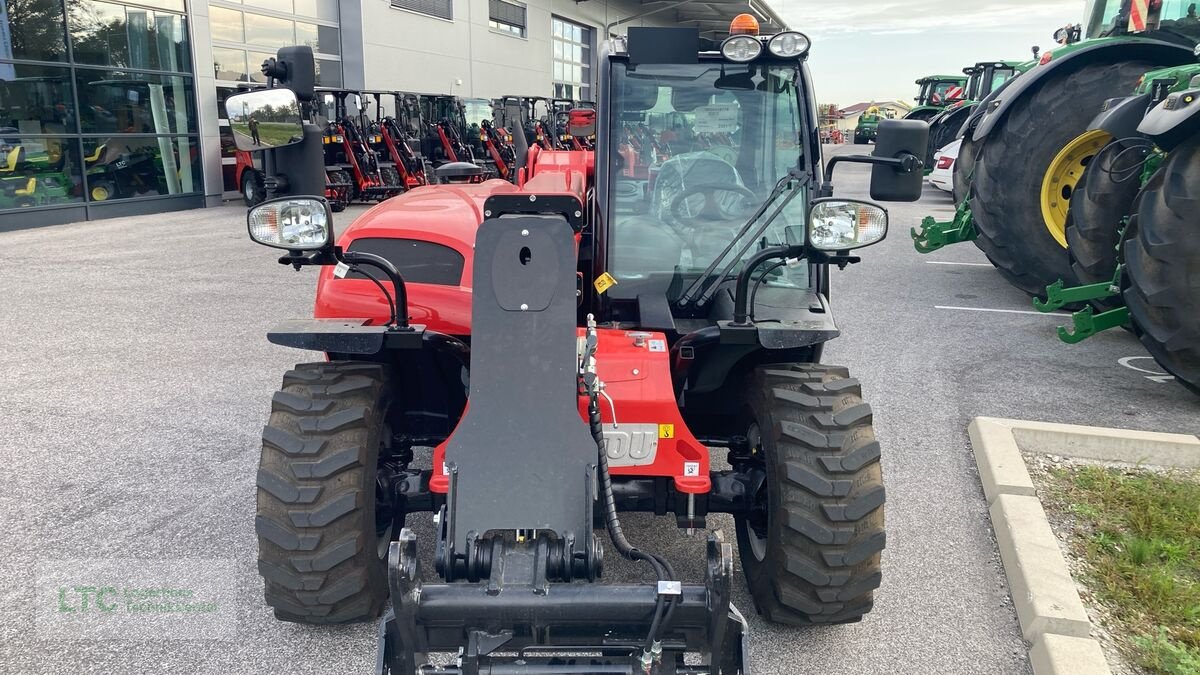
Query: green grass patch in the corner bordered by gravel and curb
(1139, 535)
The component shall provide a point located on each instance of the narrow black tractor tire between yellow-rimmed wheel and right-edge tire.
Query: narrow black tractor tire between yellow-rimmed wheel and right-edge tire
(1099, 210)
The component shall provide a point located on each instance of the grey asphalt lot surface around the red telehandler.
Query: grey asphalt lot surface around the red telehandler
(136, 378)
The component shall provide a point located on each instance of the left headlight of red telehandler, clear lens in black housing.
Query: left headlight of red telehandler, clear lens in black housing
(296, 224)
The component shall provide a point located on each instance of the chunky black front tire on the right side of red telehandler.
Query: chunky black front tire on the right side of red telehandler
(813, 554)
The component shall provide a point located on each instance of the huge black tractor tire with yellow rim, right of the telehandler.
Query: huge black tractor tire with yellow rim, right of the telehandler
(1030, 166)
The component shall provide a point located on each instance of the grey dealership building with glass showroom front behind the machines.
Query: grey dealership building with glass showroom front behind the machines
(113, 109)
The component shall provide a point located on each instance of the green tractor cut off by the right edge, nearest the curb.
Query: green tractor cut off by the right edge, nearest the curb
(1131, 232)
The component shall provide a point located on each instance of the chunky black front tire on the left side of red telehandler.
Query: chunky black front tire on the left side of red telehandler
(321, 551)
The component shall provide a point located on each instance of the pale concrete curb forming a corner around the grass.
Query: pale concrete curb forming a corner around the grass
(1048, 607)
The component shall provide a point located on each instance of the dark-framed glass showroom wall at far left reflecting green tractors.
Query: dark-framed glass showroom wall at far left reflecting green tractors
(97, 103)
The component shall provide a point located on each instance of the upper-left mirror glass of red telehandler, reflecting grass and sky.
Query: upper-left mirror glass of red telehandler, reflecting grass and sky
(265, 120)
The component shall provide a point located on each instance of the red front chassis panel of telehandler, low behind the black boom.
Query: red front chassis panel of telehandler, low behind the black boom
(637, 372)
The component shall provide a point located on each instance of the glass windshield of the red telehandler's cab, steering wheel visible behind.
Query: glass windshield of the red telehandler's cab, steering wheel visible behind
(697, 150)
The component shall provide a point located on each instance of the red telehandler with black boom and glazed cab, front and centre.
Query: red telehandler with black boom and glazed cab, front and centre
(529, 361)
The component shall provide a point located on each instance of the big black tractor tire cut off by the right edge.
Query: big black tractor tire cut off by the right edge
(1163, 267)
